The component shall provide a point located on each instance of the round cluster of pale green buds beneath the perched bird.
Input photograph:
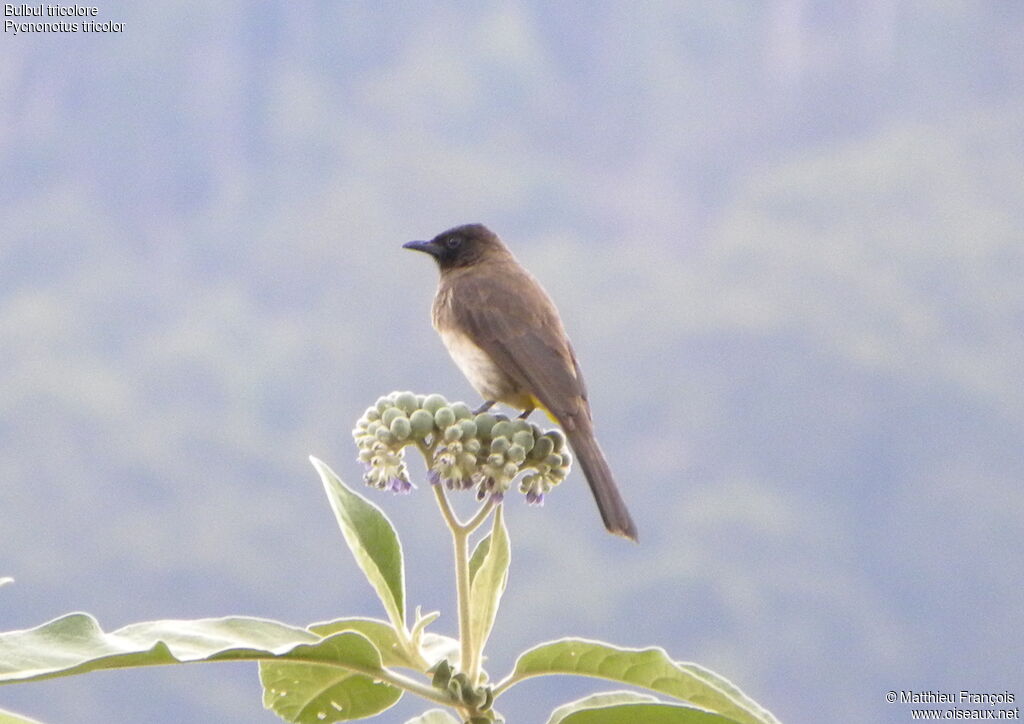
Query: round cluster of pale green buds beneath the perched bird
(463, 451)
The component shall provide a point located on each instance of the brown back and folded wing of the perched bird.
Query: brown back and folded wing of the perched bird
(511, 319)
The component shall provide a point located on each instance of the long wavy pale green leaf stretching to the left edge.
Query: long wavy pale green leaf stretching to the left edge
(76, 645)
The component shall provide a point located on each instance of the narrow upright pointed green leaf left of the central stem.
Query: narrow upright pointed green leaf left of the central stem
(373, 541)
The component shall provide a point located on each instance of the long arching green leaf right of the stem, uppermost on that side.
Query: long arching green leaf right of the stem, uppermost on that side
(649, 668)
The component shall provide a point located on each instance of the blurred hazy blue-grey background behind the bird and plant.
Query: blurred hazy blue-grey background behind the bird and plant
(786, 239)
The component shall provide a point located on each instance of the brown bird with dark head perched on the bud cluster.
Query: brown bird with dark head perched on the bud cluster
(504, 333)
